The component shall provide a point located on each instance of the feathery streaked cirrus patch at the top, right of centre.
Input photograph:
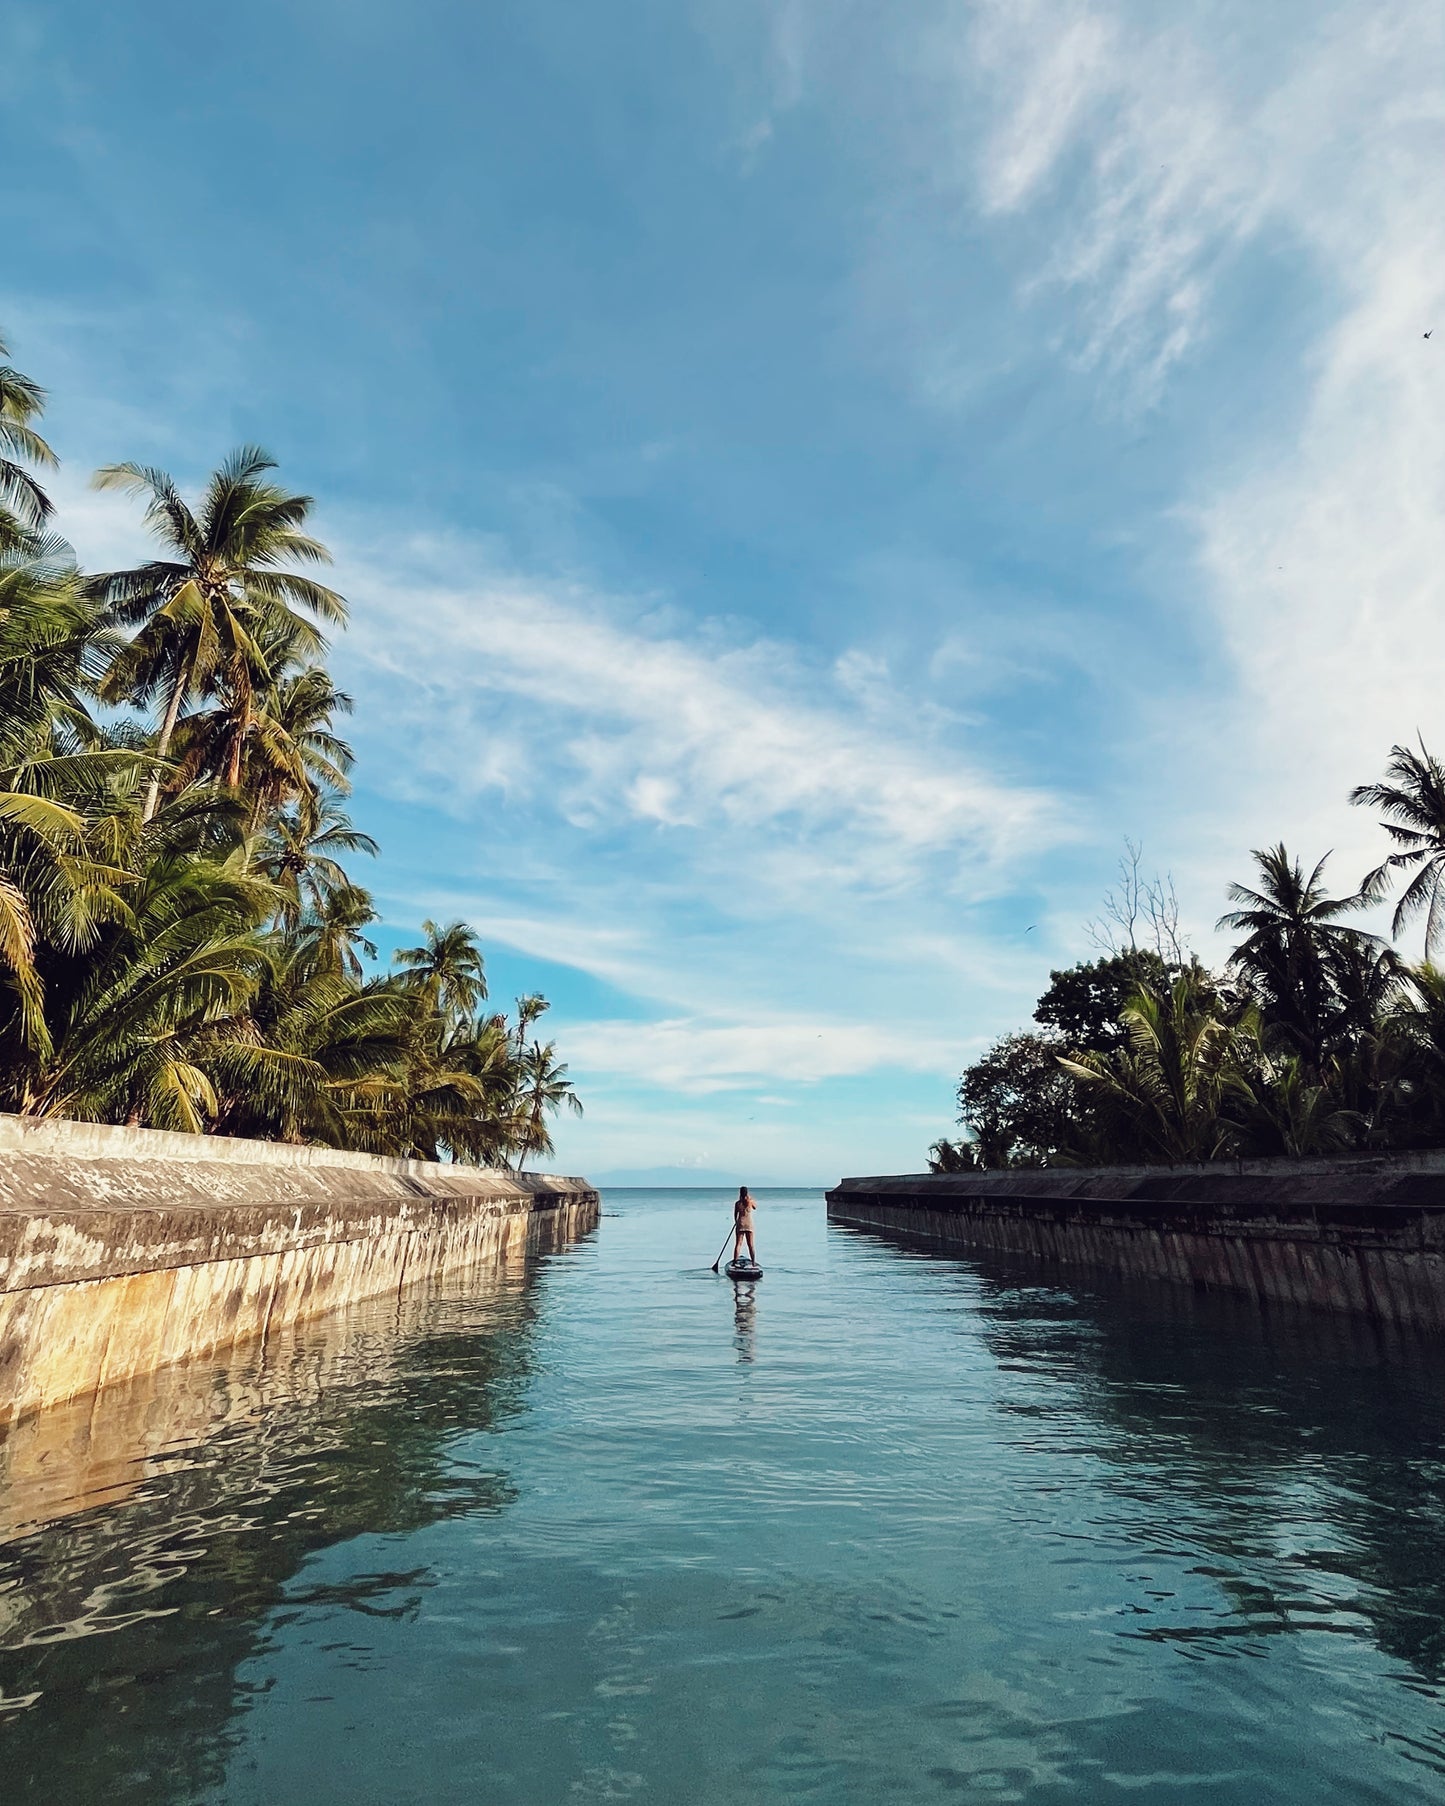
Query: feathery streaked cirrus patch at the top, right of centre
(1157, 154)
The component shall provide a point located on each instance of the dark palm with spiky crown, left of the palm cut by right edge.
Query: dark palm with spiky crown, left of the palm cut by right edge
(1294, 945)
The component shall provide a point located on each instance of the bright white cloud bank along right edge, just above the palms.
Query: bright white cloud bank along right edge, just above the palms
(1327, 566)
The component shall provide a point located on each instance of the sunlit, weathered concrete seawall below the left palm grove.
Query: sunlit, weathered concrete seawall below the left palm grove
(124, 1251)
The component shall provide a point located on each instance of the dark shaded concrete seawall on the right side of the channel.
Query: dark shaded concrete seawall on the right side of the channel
(1363, 1234)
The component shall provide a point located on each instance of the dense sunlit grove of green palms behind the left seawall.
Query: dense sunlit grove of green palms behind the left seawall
(180, 942)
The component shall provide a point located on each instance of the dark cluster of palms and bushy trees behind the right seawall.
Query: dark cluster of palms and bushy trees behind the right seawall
(1318, 1038)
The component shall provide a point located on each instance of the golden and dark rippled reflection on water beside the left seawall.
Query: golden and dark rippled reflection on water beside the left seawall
(147, 1534)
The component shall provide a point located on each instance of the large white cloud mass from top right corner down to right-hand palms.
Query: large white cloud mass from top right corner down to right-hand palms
(1321, 543)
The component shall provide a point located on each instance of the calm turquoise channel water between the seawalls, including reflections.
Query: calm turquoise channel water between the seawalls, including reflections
(893, 1529)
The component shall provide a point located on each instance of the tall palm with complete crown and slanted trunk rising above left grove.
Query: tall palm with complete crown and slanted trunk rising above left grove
(207, 610)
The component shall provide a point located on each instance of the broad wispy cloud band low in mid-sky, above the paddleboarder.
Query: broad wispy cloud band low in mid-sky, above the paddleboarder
(747, 842)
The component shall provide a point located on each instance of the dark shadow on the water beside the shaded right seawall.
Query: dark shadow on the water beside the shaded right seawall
(1296, 1457)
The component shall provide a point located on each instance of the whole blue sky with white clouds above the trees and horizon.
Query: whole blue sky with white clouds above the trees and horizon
(810, 478)
